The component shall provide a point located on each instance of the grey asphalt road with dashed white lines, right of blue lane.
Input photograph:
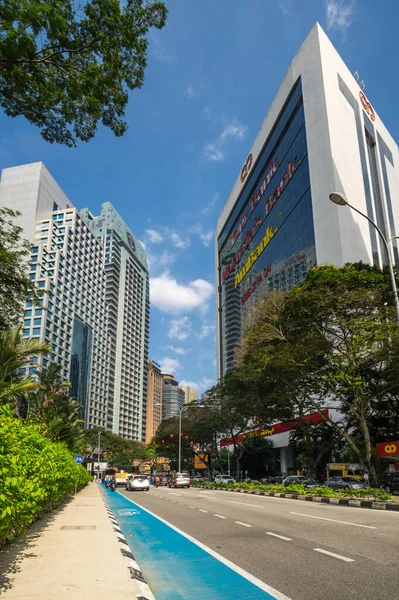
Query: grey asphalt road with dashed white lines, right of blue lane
(286, 543)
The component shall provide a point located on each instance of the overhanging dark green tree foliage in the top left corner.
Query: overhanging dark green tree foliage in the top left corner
(67, 65)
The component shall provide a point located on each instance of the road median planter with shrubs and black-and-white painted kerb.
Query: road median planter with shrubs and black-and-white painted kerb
(387, 503)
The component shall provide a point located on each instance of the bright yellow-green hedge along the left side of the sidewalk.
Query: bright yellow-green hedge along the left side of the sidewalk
(35, 473)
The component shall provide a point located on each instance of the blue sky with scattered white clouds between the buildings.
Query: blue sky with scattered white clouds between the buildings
(212, 74)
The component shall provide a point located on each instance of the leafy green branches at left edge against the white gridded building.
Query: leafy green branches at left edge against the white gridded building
(15, 285)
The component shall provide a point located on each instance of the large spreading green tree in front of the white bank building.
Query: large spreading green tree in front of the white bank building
(331, 342)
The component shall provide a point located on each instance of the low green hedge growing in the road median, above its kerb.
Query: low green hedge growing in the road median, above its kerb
(369, 493)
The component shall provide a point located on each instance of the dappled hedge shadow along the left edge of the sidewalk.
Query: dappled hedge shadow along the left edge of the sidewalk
(23, 547)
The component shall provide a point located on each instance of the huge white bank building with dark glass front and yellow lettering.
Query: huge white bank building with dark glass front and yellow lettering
(321, 134)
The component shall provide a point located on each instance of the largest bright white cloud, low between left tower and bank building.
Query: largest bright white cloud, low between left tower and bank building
(172, 297)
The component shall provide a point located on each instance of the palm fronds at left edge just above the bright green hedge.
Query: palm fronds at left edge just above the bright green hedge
(16, 353)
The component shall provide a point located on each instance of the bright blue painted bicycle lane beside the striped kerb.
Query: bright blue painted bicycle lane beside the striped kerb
(177, 568)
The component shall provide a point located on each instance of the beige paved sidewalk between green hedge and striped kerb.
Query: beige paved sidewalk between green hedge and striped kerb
(58, 561)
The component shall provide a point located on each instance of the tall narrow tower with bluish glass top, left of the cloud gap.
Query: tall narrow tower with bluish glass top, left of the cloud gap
(127, 295)
